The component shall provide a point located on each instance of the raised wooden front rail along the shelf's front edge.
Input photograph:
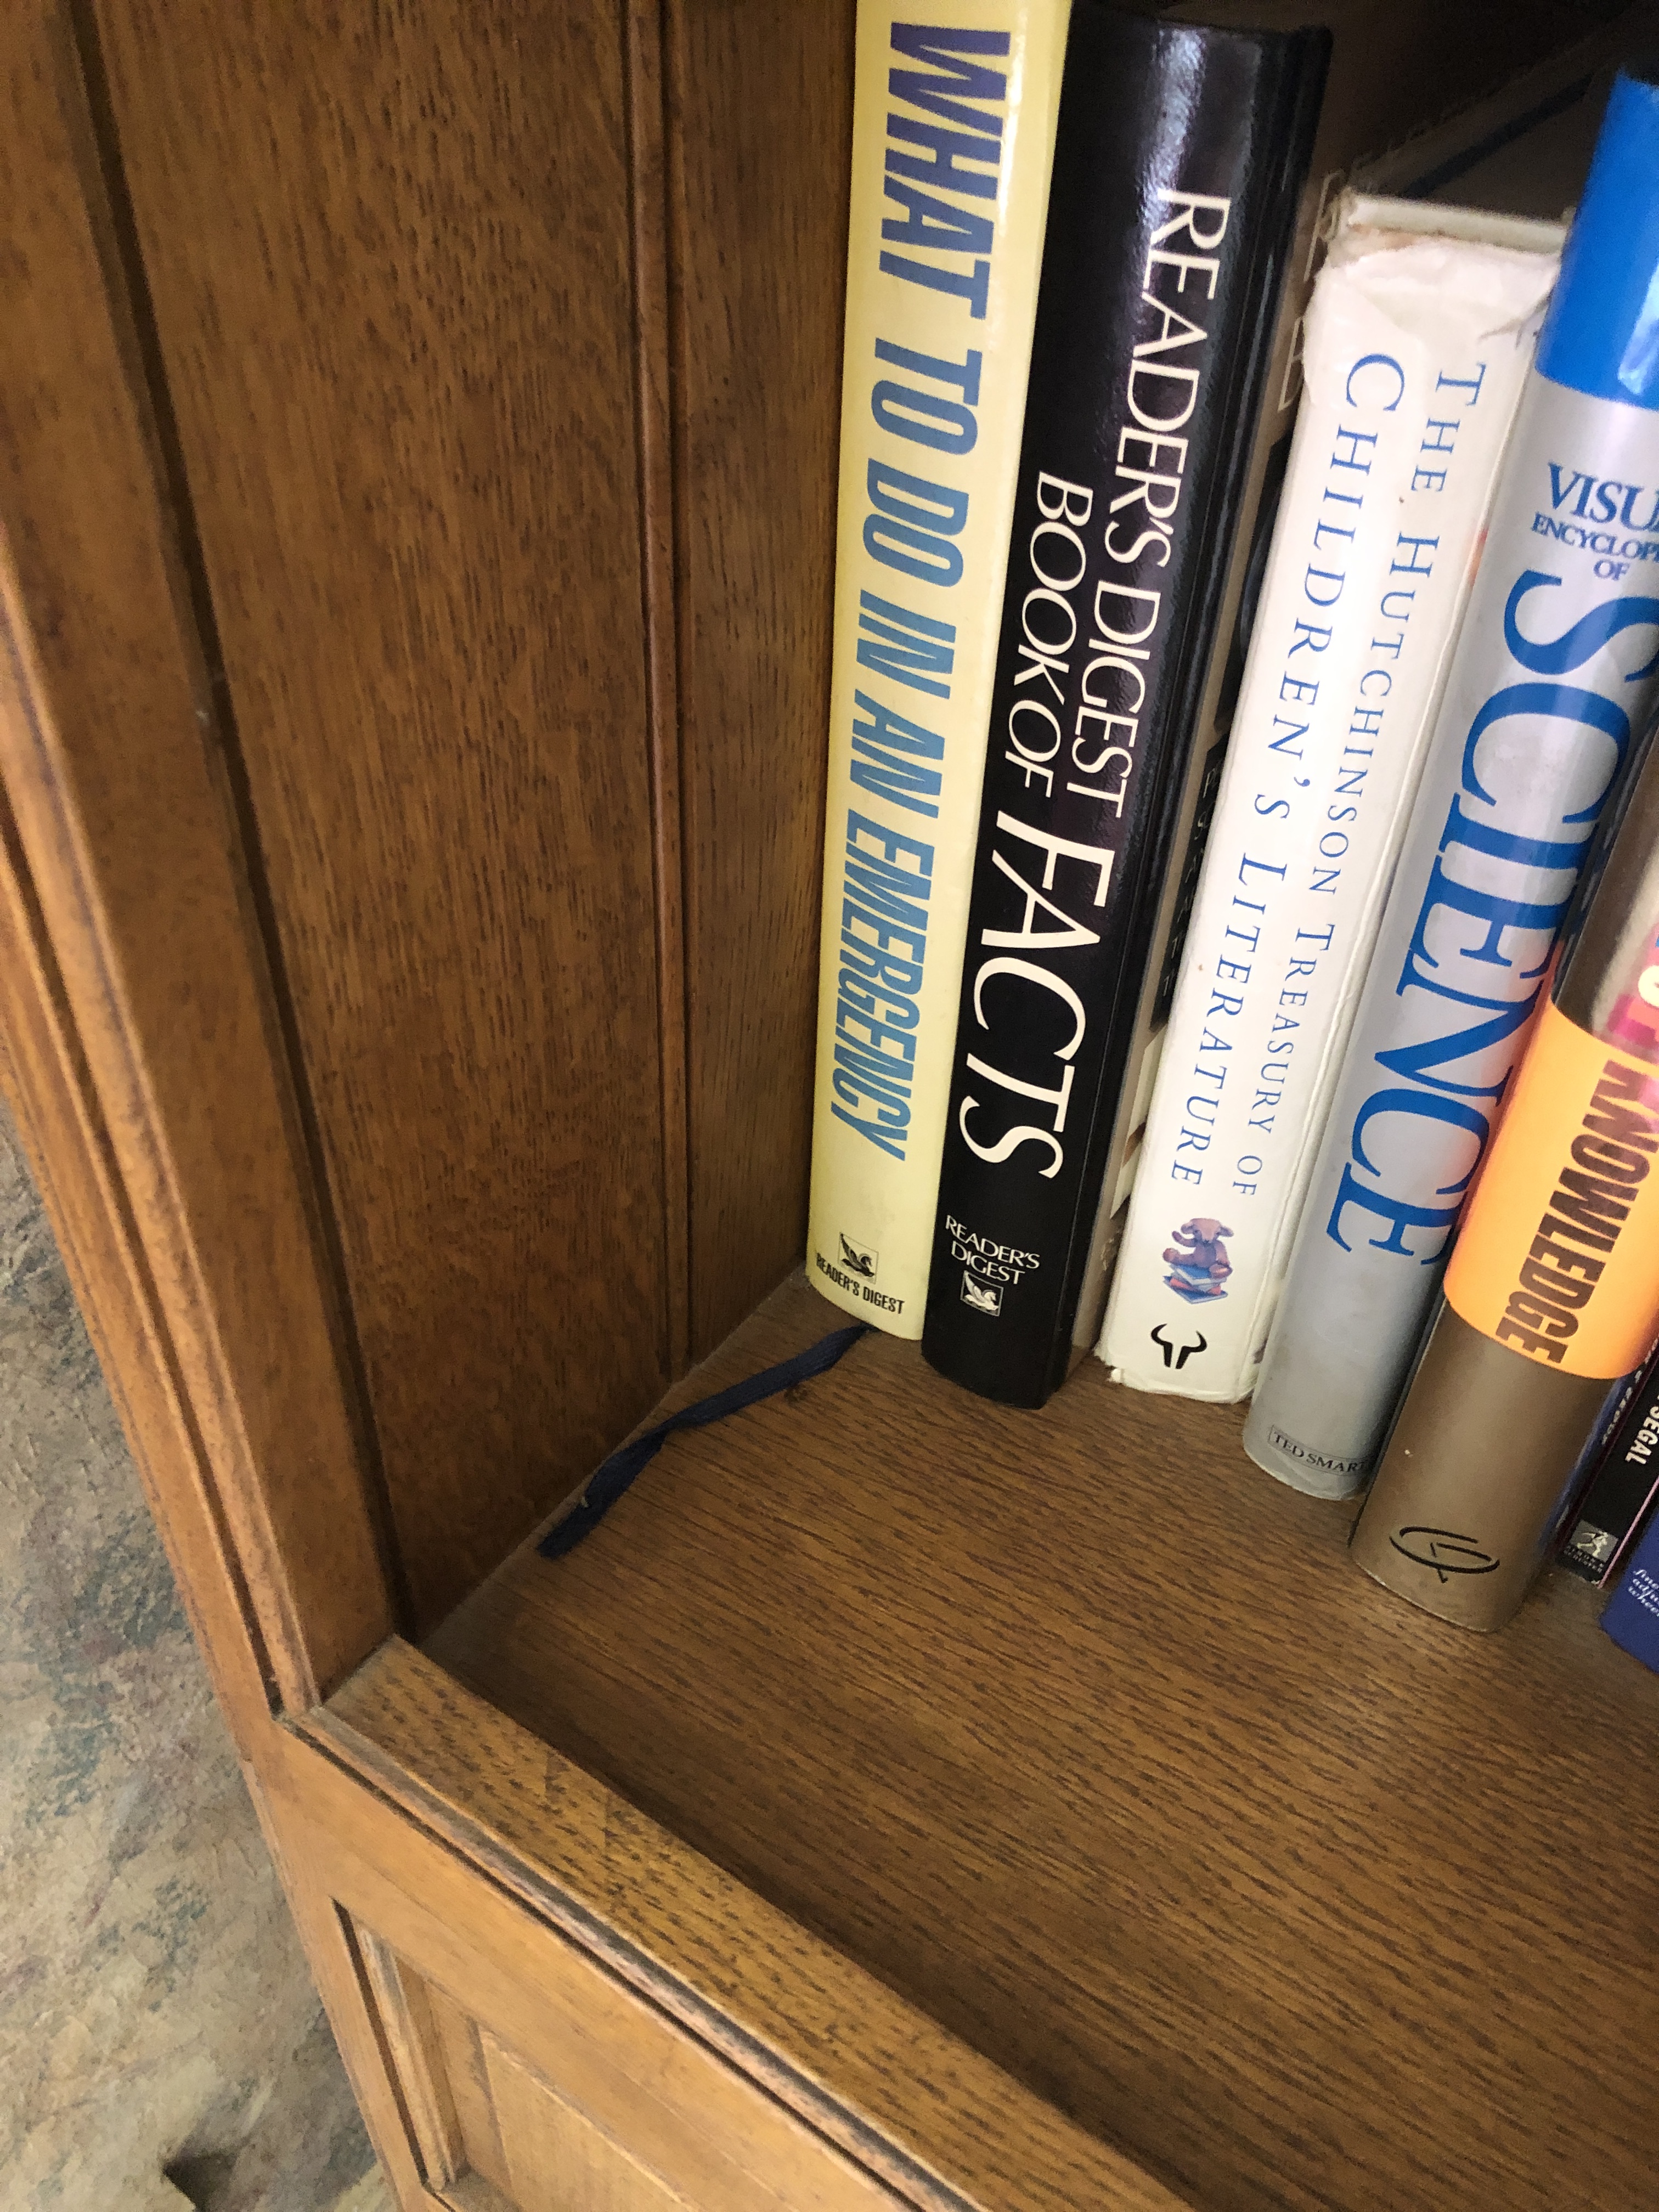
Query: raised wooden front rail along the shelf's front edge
(864, 2067)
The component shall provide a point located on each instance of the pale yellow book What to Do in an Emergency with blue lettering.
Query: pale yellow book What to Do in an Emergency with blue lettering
(952, 147)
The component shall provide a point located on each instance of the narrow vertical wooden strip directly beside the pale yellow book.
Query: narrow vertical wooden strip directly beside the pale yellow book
(760, 132)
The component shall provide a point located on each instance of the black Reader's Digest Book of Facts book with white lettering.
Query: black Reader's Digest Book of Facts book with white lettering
(1180, 160)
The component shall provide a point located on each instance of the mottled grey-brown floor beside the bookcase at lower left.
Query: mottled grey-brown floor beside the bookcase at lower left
(156, 2014)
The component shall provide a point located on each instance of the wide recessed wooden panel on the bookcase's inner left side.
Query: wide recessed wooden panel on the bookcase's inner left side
(393, 282)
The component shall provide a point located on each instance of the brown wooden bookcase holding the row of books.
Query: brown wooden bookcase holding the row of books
(417, 505)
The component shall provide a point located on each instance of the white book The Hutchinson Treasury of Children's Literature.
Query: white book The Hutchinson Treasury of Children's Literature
(1417, 357)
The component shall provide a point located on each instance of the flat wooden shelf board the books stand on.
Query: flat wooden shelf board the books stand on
(1089, 1740)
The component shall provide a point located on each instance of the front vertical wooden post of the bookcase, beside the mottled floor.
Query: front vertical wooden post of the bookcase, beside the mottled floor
(138, 1001)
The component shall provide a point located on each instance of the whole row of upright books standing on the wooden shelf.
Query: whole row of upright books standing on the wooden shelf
(1242, 870)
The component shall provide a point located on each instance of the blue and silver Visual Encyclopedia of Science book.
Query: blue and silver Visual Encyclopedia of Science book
(1556, 669)
